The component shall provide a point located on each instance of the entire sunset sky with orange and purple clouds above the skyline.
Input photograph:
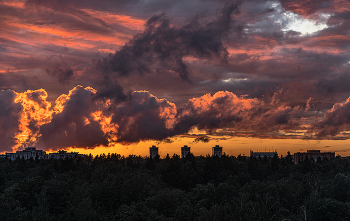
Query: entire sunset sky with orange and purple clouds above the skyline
(119, 76)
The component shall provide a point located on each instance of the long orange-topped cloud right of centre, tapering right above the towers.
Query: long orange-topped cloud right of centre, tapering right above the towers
(226, 110)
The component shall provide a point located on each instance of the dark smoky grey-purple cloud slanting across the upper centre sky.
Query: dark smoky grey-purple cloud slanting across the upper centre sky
(163, 47)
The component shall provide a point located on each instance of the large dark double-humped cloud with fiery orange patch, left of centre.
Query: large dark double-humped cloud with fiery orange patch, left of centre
(139, 117)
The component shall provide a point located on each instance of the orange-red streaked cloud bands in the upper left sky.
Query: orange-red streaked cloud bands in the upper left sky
(36, 33)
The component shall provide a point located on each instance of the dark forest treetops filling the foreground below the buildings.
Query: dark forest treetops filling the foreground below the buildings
(195, 188)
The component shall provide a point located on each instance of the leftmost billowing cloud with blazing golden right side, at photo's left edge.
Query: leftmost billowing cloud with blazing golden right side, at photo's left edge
(21, 115)
